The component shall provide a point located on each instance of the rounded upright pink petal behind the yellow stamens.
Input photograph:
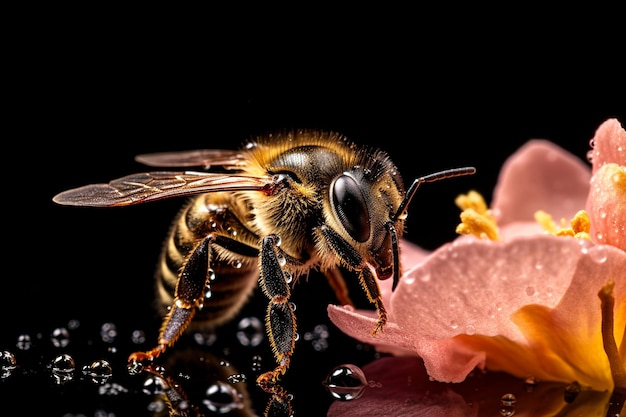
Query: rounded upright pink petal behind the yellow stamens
(540, 176)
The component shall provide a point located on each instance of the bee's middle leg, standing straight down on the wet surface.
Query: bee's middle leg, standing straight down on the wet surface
(280, 319)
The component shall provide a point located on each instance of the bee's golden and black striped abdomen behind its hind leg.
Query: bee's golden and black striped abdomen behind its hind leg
(234, 266)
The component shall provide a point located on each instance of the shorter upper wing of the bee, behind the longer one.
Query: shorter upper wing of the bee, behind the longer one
(206, 158)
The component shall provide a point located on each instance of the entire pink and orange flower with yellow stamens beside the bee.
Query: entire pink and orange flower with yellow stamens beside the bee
(531, 303)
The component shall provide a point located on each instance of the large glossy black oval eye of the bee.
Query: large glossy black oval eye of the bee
(351, 208)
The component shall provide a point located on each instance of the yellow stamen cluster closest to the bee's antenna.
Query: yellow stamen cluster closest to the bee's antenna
(476, 218)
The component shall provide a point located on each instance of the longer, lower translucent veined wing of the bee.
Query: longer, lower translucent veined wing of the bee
(151, 186)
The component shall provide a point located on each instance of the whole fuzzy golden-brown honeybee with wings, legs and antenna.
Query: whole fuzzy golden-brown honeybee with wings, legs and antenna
(269, 213)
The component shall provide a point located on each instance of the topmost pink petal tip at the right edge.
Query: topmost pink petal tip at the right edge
(609, 144)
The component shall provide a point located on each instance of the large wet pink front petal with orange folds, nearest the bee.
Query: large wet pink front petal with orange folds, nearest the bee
(461, 308)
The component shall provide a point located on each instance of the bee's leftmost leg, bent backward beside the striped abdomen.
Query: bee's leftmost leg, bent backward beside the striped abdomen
(189, 296)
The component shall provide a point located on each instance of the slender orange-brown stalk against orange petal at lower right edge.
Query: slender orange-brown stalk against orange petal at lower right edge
(616, 362)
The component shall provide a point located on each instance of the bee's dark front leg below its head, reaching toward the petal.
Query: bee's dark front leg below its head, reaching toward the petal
(367, 277)
